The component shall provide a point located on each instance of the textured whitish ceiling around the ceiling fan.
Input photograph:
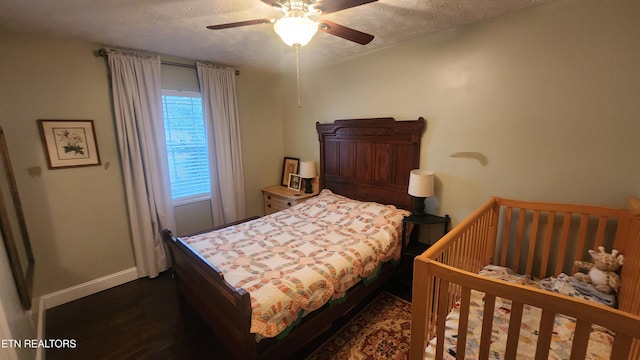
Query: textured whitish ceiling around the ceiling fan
(178, 27)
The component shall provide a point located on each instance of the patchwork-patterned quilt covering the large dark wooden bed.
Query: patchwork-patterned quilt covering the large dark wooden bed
(296, 260)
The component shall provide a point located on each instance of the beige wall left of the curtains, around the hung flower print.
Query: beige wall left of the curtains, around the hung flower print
(76, 217)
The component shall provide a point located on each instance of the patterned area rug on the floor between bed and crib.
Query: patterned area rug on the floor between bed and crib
(380, 331)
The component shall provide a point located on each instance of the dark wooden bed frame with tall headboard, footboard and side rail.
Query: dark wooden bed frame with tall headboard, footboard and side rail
(365, 159)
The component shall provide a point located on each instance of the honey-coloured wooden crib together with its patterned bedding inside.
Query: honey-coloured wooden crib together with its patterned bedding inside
(514, 260)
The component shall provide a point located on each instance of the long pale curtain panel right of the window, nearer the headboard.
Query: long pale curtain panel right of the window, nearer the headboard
(218, 88)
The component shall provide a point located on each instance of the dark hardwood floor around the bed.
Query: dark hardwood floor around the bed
(142, 319)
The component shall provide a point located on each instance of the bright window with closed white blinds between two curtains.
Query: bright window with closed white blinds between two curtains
(187, 151)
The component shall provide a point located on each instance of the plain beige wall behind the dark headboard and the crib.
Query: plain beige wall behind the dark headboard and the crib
(548, 96)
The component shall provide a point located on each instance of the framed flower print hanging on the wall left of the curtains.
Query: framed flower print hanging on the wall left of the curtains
(69, 143)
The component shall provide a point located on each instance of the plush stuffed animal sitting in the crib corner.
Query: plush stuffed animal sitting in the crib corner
(602, 273)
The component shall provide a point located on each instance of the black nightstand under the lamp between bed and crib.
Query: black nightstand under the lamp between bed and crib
(412, 246)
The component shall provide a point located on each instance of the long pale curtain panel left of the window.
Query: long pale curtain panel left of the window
(137, 102)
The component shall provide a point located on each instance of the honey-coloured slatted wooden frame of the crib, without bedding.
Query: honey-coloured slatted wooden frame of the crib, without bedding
(548, 237)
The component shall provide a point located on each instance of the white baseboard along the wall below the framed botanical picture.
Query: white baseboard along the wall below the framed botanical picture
(64, 296)
